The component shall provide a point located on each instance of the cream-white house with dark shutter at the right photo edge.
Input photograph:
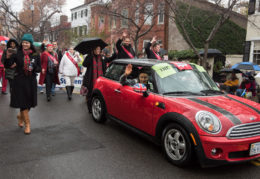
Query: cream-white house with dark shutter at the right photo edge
(252, 44)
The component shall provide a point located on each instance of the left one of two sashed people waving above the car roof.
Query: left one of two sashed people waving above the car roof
(124, 47)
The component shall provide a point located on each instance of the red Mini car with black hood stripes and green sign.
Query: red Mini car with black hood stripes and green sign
(182, 109)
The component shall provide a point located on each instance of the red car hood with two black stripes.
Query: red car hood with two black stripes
(231, 110)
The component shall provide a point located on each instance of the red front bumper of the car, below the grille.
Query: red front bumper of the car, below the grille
(229, 150)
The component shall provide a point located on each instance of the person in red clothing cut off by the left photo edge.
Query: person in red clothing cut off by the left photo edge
(2, 69)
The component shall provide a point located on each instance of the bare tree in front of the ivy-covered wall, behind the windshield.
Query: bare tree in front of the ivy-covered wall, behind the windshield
(181, 18)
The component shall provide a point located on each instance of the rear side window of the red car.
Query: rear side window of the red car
(114, 71)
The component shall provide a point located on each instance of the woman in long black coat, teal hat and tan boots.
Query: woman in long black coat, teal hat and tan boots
(24, 92)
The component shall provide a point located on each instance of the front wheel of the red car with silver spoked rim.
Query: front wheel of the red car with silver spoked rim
(177, 145)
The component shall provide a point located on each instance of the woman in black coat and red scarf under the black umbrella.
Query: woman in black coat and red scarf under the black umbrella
(96, 66)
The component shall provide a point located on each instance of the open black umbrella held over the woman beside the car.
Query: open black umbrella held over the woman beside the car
(88, 44)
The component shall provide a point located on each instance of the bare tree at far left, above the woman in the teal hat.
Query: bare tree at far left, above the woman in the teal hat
(30, 20)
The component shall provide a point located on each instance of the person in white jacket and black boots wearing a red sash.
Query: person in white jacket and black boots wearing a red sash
(70, 69)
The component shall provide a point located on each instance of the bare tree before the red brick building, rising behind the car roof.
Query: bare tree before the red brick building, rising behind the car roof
(137, 16)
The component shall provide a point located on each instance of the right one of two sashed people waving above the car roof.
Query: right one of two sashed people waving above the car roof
(152, 49)
